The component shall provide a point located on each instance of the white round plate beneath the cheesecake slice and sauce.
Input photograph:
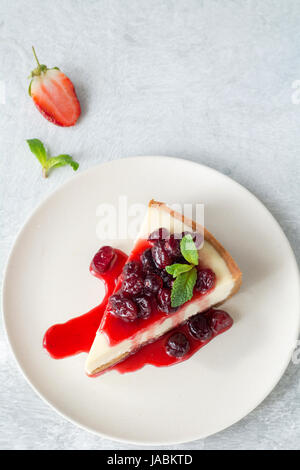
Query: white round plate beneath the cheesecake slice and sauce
(48, 281)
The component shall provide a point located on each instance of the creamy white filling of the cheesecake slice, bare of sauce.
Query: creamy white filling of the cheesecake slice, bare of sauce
(103, 353)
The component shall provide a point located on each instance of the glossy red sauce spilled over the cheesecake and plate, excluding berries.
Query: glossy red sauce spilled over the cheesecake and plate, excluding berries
(77, 335)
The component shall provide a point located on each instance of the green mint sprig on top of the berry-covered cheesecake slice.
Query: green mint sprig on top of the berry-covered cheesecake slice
(185, 274)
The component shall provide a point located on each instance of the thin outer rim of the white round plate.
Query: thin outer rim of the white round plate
(53, 194)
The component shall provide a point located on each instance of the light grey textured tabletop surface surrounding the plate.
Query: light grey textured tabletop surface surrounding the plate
(211, 81)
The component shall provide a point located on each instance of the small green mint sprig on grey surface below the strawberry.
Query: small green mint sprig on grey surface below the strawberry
(38, 149)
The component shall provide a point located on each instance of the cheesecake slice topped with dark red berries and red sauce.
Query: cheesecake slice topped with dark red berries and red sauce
(141, 308)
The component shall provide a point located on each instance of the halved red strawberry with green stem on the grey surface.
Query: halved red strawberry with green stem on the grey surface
(54, 95)
